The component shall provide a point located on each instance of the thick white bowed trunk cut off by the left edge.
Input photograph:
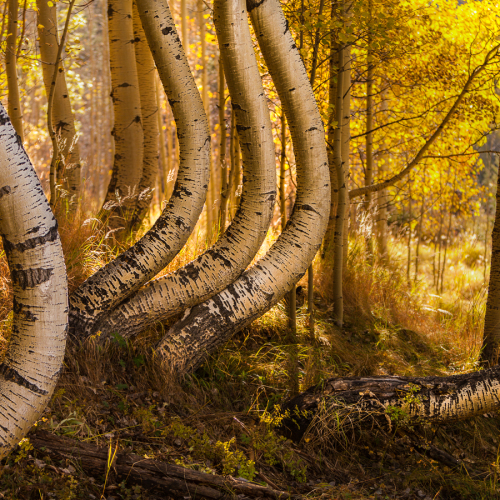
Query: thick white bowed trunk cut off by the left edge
(29, 371)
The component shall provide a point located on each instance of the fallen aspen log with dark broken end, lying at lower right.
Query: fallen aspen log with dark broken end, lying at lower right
(362, 401)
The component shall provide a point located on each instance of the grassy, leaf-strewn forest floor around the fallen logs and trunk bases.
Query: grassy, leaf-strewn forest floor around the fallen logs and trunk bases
(223, 419)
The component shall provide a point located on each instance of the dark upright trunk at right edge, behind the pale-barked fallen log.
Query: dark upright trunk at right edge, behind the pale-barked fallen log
(491, 335)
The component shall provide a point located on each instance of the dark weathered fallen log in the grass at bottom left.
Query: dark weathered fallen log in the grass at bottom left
(168, 479)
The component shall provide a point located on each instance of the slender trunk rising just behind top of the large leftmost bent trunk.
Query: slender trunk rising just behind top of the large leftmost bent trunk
(14, 104)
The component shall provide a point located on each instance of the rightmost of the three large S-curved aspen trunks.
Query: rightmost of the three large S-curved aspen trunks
(207, 326)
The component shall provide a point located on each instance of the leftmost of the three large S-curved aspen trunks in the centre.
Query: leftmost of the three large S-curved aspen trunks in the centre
(127, 273)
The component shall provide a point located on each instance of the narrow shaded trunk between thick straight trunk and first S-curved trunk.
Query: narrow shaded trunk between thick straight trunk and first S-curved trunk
(146, 73)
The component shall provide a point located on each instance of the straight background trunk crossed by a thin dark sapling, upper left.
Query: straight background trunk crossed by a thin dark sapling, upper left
(63, 120)
